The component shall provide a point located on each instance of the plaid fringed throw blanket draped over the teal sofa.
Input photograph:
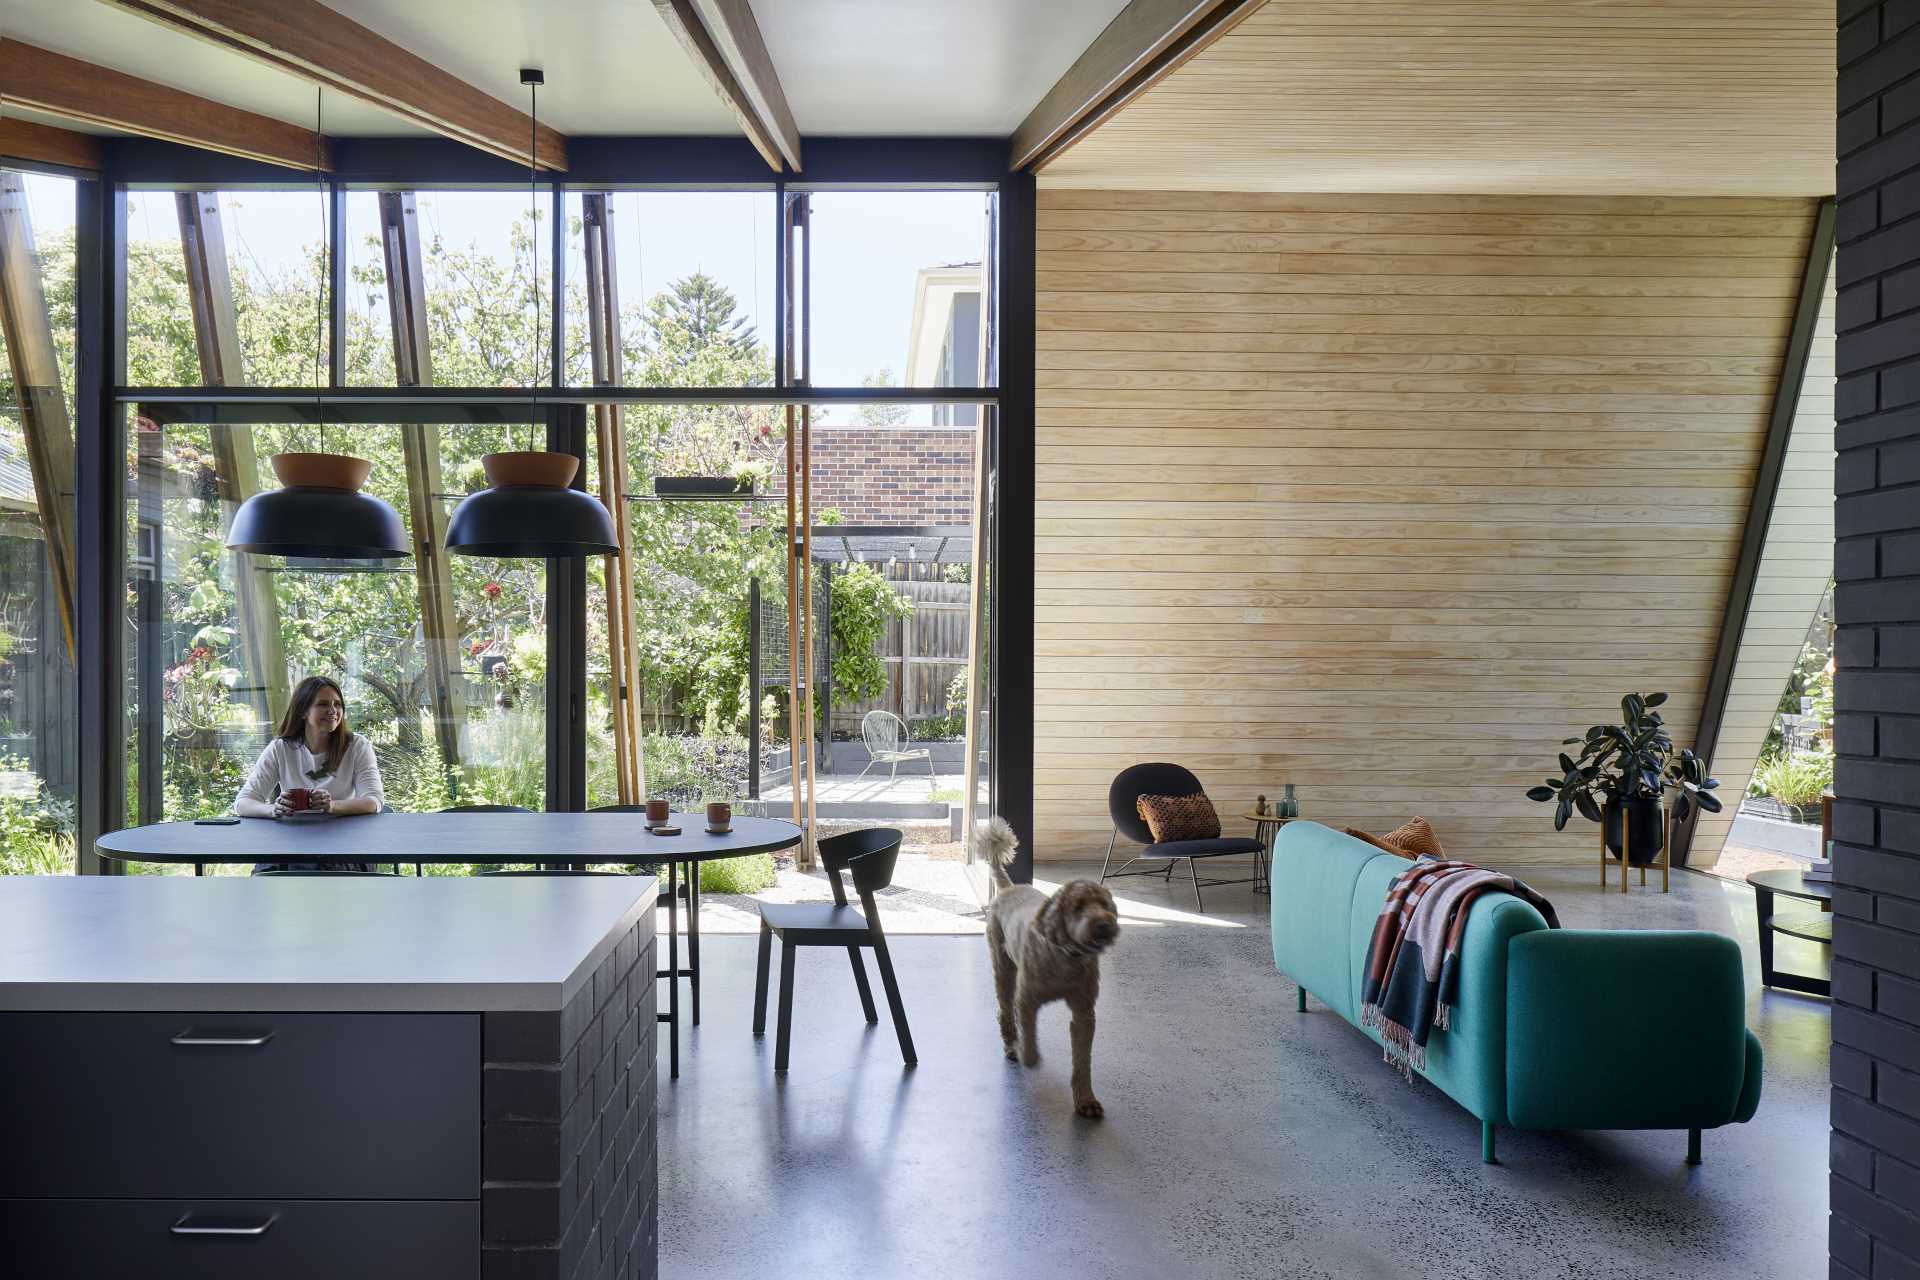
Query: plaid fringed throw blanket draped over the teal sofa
(1414, 957)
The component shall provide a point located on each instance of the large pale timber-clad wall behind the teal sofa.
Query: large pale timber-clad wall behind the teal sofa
(1383, 496)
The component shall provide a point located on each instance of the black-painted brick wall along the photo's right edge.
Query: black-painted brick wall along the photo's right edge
(1877, 481)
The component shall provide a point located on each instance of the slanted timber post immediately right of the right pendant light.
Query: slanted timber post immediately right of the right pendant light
(610, 437)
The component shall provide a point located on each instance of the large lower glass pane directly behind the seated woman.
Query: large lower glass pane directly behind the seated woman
(452, 696)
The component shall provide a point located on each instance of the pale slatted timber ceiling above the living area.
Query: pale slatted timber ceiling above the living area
(1572, 97)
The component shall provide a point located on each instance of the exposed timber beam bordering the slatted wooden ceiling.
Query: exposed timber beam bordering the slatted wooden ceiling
(1140, 49)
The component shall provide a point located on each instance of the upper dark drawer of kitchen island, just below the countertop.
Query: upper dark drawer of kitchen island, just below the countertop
(285, 1106)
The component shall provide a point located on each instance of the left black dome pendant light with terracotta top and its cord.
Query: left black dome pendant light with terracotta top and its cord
(320, 511)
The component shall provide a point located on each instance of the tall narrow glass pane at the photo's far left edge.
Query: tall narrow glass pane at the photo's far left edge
(37, 678)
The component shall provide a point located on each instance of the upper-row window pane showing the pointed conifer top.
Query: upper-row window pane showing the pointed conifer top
(694, 277)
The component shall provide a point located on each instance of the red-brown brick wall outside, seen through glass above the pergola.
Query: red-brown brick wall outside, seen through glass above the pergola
(900, 475)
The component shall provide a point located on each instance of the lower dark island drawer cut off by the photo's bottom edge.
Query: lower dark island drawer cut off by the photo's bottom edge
(239, 1239)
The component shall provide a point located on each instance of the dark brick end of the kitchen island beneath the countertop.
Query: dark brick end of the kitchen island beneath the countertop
(569, 1145)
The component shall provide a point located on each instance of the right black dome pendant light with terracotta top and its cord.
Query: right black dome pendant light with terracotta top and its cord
(529, 508)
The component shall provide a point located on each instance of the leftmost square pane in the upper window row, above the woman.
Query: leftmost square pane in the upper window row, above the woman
(266, 308)
